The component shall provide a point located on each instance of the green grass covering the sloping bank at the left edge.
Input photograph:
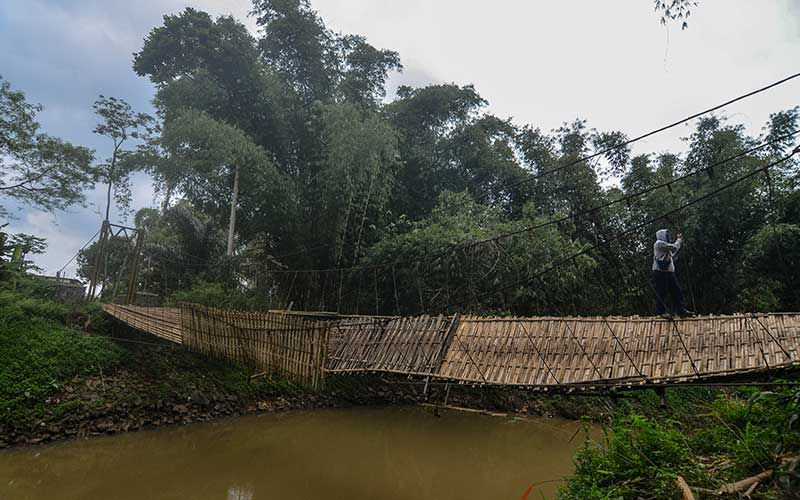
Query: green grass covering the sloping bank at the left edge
(40, 354)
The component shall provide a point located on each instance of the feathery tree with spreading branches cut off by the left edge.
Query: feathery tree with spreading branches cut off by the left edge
(37, 169)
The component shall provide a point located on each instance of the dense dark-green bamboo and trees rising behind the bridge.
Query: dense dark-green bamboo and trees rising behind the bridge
(427, 202)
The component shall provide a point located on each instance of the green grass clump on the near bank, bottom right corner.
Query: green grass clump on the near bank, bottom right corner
(711, 439)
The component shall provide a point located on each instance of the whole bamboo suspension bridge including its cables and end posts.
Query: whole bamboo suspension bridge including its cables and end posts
(535, 352)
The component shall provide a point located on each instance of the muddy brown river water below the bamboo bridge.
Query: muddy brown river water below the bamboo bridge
(350, 454)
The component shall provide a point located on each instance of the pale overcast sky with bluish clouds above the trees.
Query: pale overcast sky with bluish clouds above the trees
(539, 62)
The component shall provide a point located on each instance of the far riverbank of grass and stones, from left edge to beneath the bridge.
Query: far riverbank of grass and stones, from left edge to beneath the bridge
(67, 374)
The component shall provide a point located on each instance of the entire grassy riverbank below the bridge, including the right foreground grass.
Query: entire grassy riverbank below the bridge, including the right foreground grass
(67, 374)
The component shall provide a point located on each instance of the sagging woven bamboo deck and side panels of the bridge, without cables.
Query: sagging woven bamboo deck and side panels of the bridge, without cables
(537, 352)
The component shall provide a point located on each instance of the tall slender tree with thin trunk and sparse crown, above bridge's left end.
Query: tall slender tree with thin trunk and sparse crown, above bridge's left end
(119, 123)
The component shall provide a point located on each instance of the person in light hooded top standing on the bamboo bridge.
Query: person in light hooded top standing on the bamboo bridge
(664, 255)
